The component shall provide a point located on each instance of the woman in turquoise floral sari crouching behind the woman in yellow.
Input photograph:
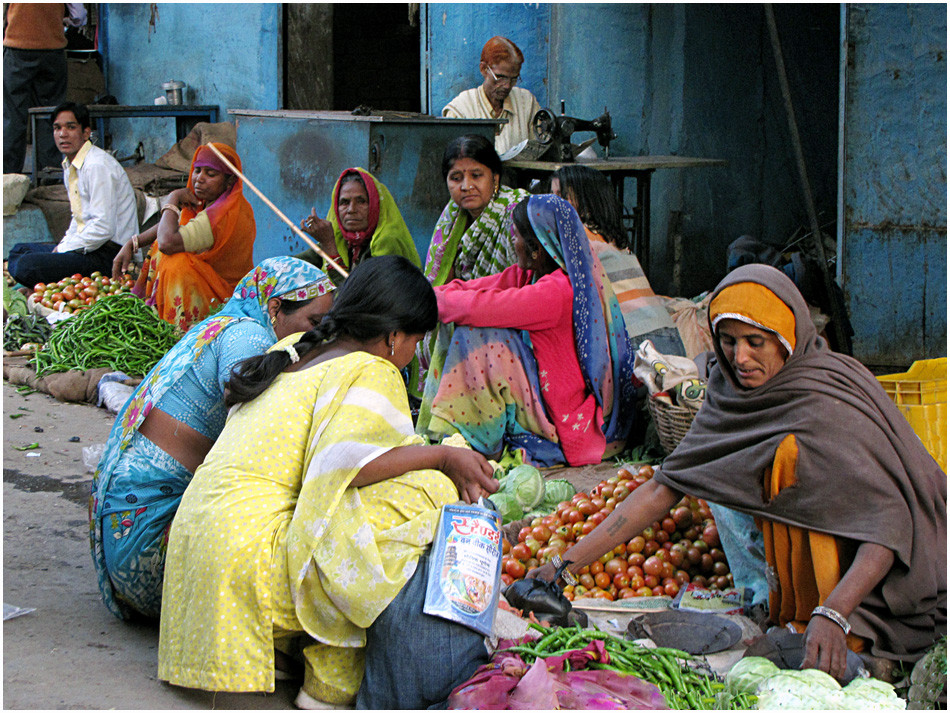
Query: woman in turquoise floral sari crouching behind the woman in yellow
(172, 419)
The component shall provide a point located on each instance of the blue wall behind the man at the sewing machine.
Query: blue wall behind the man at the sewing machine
(686, 79)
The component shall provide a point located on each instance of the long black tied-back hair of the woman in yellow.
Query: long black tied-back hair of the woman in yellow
(382, 295)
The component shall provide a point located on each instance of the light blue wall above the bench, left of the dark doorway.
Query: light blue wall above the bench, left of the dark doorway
(229, 54)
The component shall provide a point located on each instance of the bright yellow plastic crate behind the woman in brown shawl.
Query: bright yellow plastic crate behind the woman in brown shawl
(921, 395)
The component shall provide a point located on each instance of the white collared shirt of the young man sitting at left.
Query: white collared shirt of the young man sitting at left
(101, 200)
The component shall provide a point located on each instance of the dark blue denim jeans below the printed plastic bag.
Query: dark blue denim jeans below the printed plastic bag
(415, 660)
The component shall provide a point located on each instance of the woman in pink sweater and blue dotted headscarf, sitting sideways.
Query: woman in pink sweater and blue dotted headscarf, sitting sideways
(539, 358)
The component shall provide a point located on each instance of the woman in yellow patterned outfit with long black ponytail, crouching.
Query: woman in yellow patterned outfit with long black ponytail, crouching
(310, 512)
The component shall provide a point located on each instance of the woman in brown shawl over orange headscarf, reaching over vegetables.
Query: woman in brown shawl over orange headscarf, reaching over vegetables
(852, 506)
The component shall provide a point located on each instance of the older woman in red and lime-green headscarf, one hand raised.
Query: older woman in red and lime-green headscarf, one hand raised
(363, 221)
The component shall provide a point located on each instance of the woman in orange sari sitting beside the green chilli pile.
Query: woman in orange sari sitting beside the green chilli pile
(202, 246)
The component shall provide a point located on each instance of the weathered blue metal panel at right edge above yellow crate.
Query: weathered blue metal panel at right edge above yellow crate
(893, 240)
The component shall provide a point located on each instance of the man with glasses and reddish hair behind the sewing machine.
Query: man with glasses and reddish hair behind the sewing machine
(498, 97)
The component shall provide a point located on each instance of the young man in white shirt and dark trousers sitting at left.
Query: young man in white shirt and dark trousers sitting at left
(102, 204)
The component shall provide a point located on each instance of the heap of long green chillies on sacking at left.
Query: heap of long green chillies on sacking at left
(119, 332)
